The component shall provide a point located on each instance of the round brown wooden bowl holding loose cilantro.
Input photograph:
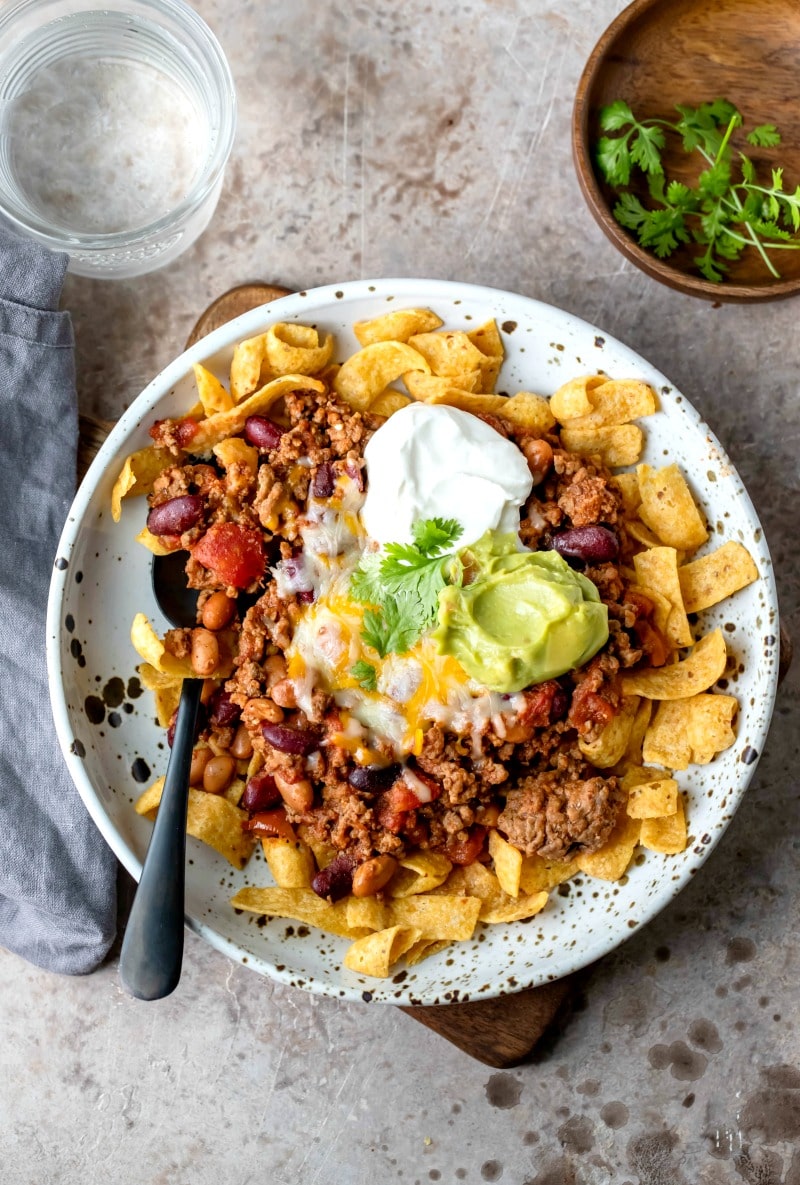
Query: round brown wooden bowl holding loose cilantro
(662, 53)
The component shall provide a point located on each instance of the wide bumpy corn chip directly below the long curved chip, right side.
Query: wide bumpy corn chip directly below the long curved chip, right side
(690, 732)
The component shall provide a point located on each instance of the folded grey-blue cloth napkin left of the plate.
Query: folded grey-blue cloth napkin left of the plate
(57, 876)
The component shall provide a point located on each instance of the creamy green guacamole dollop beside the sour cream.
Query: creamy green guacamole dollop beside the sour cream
(524, 618)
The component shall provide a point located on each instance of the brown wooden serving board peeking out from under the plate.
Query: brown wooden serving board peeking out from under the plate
(500, 1033)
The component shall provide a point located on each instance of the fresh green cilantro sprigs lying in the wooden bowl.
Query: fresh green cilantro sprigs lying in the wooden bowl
(727, 212)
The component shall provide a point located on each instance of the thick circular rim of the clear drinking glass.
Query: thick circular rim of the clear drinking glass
(217, 76)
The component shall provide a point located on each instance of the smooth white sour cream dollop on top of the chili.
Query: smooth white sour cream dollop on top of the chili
(432, 462)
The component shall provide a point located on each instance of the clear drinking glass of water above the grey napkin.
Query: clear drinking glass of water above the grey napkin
(116, 127)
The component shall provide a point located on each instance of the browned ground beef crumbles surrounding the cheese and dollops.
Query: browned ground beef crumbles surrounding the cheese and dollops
(527, 776)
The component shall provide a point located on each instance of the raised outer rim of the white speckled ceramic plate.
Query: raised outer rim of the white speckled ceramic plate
(118, 446)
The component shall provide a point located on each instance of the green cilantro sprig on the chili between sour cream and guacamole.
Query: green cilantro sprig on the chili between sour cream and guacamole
(401, 587)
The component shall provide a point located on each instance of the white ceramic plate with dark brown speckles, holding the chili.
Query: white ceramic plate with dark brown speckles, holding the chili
(113, 746)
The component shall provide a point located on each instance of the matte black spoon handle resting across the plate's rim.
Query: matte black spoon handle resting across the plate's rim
(153, 944)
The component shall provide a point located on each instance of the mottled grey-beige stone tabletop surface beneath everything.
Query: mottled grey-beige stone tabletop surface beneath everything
(433, 139)
